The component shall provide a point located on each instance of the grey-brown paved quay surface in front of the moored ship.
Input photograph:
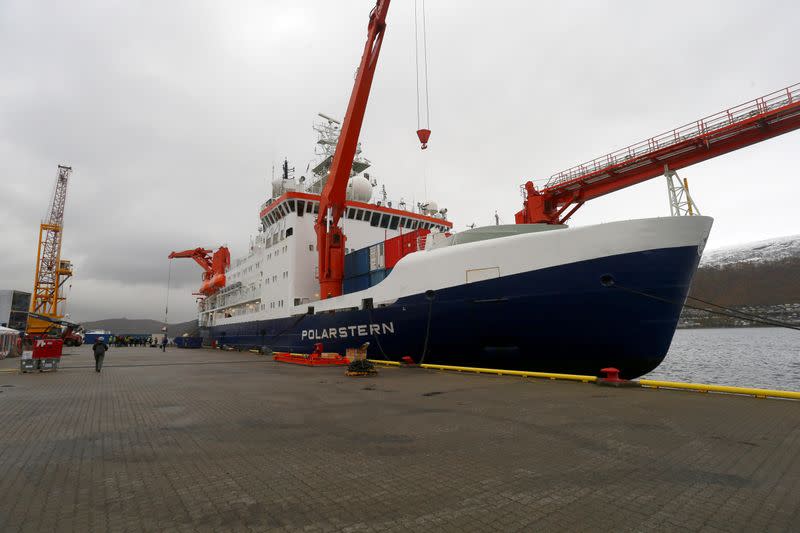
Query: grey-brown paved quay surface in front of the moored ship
(201, 440)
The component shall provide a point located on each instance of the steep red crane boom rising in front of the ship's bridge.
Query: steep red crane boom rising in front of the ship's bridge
(330, 237)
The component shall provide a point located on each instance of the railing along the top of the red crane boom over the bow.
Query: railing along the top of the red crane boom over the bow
(703, 127)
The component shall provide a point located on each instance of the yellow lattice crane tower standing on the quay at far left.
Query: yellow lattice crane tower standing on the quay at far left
(51, 271)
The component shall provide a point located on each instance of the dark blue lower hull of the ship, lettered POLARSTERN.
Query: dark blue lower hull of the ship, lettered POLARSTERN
(559, 319)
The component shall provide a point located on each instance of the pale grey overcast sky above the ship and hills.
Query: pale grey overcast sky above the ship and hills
(173, 113)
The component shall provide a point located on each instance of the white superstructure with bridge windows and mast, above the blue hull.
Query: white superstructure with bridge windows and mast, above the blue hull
(279, 272)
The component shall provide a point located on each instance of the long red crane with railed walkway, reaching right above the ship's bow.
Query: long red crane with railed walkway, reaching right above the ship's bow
(749, 123)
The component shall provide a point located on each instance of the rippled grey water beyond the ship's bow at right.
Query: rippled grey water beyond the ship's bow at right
(745, 357)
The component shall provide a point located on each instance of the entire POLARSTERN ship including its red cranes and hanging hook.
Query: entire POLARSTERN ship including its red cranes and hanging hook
(337, 265)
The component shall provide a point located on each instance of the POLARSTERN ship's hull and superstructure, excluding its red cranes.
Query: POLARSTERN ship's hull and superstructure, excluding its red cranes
(544, 297)
